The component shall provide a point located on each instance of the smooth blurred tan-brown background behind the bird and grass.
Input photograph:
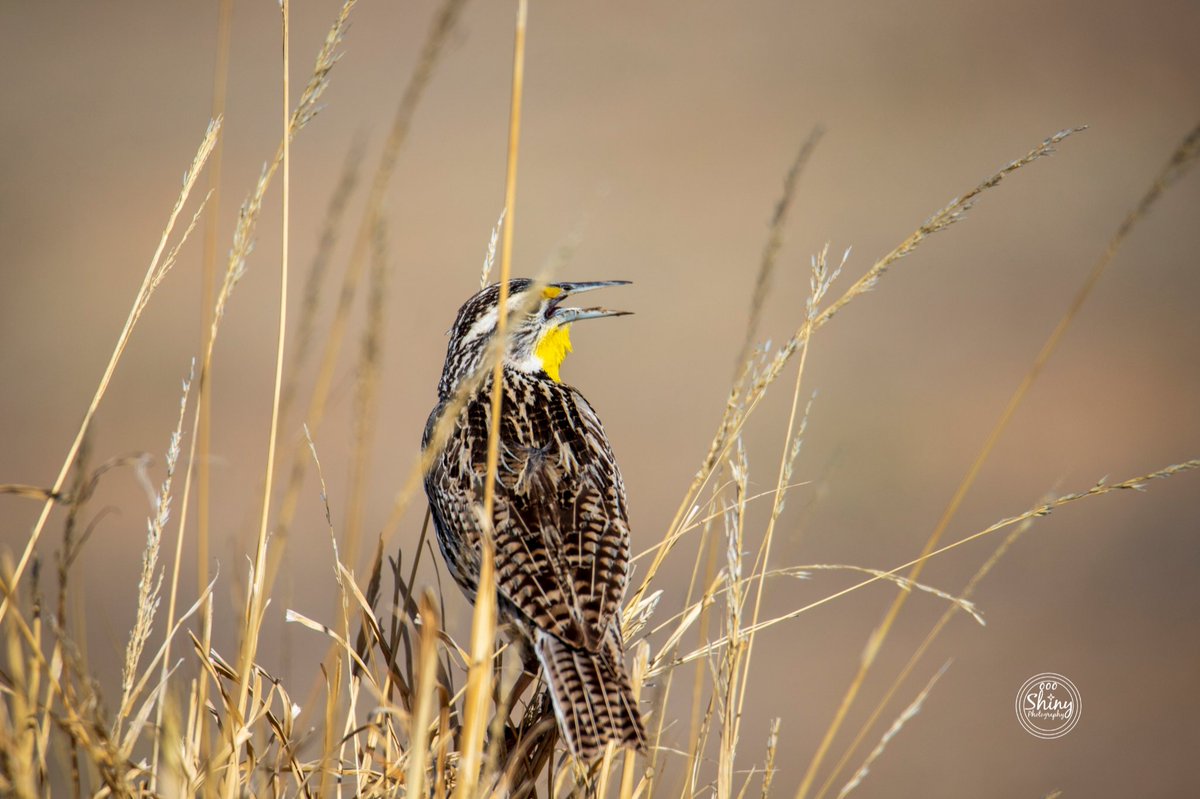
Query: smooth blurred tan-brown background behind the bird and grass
(656, 139)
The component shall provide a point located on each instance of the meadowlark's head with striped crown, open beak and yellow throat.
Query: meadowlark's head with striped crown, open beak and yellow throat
(539, 328)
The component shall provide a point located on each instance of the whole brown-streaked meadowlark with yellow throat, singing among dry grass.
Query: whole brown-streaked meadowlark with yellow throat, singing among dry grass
(561, 527)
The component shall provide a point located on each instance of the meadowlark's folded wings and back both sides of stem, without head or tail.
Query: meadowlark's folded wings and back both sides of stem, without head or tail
(562, 531)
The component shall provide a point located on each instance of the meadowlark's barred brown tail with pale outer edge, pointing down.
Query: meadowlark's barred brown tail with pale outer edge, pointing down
(592, 696)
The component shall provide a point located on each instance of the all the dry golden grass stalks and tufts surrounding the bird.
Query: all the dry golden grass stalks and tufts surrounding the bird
(400, 707)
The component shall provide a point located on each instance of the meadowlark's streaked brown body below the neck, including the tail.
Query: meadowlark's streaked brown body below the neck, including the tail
(562, 542)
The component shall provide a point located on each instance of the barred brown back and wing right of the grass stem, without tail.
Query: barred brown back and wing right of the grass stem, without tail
(562, 530)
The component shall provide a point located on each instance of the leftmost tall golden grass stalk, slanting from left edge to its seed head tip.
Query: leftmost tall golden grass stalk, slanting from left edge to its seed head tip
(140, 303)
